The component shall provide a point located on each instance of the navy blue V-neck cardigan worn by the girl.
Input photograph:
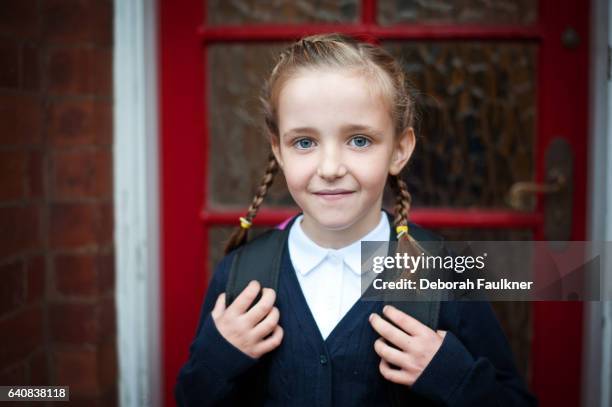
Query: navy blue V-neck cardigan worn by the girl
(473, 367)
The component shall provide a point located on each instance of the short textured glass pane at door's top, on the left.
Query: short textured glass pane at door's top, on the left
(282, 11)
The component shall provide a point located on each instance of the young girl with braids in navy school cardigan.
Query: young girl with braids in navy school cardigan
(340, 124)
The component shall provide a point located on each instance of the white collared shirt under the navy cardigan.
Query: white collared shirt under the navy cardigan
(330, 278)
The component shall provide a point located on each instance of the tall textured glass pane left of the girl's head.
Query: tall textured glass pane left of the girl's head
(238, 145)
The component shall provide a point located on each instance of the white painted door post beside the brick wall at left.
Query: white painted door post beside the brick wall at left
(136, 202)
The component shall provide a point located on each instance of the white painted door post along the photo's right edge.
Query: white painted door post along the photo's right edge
(597, 339)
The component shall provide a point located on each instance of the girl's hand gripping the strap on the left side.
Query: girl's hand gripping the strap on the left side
(254, 331)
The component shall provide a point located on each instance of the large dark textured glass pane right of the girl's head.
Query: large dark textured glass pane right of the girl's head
(476, 121)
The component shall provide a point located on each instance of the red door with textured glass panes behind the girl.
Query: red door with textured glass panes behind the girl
(499, 81)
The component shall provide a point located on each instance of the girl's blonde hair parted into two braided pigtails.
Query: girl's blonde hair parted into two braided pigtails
(339, 51)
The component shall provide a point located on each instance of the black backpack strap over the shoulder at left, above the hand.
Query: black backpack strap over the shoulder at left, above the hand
(258, 260)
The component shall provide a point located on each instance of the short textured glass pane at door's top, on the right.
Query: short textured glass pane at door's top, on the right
(457, 11)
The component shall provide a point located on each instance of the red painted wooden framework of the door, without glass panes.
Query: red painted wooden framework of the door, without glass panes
(562, 101)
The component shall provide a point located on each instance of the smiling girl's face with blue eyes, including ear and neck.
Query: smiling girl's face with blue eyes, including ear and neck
(336, 147)
